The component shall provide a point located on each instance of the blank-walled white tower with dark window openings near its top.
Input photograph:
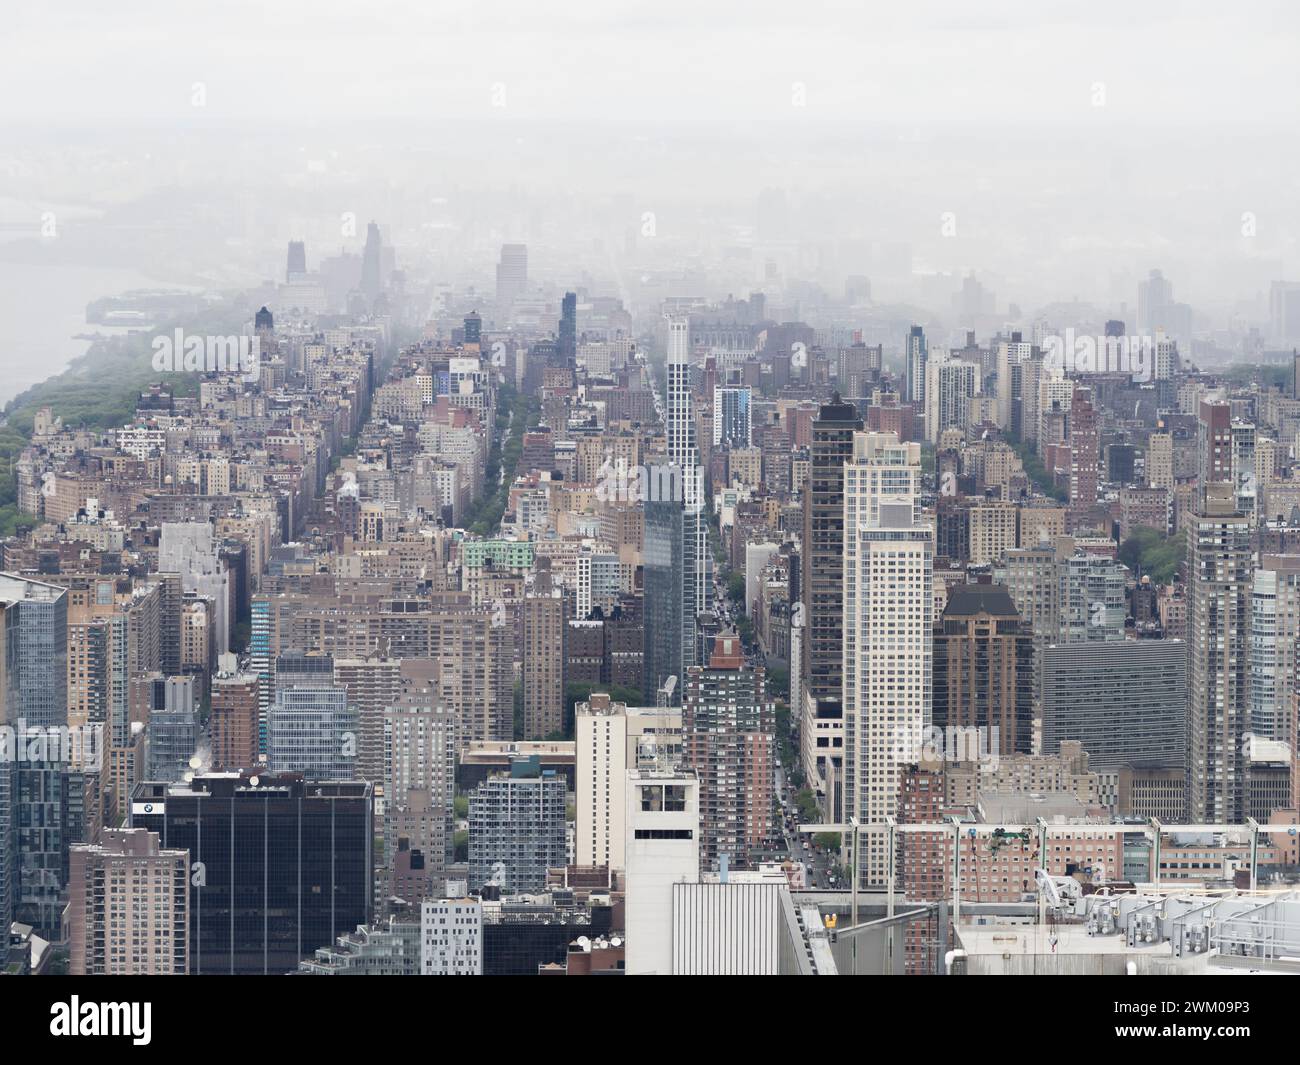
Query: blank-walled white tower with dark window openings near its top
(662, 850)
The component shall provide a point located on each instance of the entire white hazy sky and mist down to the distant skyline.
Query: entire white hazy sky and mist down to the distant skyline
(1056, 151)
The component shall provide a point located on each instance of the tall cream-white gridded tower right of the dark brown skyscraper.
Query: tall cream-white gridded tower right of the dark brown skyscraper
(889, 611)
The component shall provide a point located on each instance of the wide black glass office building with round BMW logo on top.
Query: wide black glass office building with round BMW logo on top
(280, 867)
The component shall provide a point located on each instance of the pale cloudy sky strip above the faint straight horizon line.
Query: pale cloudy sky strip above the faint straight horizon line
(327, 60)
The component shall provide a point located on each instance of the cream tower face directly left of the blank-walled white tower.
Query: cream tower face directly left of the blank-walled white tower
(603, 780)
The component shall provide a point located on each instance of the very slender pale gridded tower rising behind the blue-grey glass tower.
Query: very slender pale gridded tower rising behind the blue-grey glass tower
(683, 454)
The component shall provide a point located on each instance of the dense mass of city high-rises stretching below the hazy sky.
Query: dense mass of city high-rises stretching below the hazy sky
(558, 640)
